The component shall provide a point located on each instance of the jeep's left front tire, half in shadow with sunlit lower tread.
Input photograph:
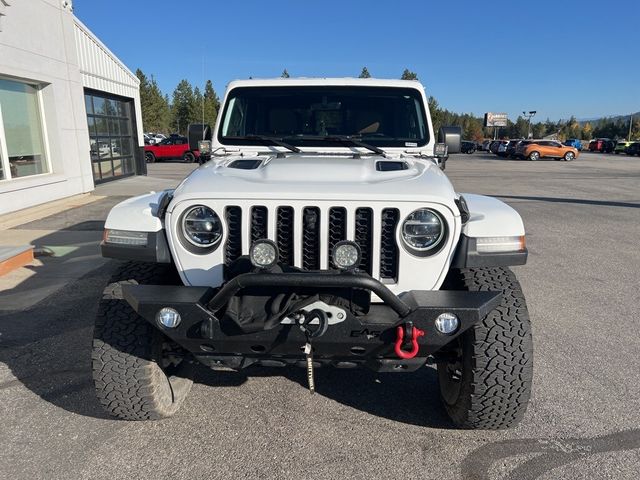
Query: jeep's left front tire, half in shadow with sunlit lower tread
(138, 373)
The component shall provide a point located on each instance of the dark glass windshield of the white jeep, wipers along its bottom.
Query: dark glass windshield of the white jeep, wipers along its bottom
(311, 116)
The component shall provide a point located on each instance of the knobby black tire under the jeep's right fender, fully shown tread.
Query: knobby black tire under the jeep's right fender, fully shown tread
(486, 375)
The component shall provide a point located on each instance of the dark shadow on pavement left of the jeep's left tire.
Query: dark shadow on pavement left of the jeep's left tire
(47, 347)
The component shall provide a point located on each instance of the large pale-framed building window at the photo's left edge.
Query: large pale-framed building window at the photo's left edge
(22, 151)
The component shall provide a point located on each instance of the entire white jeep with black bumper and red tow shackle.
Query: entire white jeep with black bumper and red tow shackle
(321, 232)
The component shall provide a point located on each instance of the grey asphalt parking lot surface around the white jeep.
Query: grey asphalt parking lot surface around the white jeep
(582, 285)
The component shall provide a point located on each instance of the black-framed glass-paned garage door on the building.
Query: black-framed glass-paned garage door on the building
(110, 136)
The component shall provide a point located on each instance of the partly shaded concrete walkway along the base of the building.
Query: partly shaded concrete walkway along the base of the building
(66, 236)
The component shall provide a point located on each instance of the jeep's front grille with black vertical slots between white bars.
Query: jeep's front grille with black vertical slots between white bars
(298, 233)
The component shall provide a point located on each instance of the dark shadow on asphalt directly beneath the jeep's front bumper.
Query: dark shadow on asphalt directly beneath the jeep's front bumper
(410, 398)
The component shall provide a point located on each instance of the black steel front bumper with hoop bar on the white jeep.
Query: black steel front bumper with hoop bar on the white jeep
(364, 339)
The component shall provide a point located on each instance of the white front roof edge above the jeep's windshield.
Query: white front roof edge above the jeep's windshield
(302, 81)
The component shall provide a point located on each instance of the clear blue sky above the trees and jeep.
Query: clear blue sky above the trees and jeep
(561, 58)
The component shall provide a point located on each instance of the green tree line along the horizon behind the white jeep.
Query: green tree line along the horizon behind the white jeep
(161, 113)
